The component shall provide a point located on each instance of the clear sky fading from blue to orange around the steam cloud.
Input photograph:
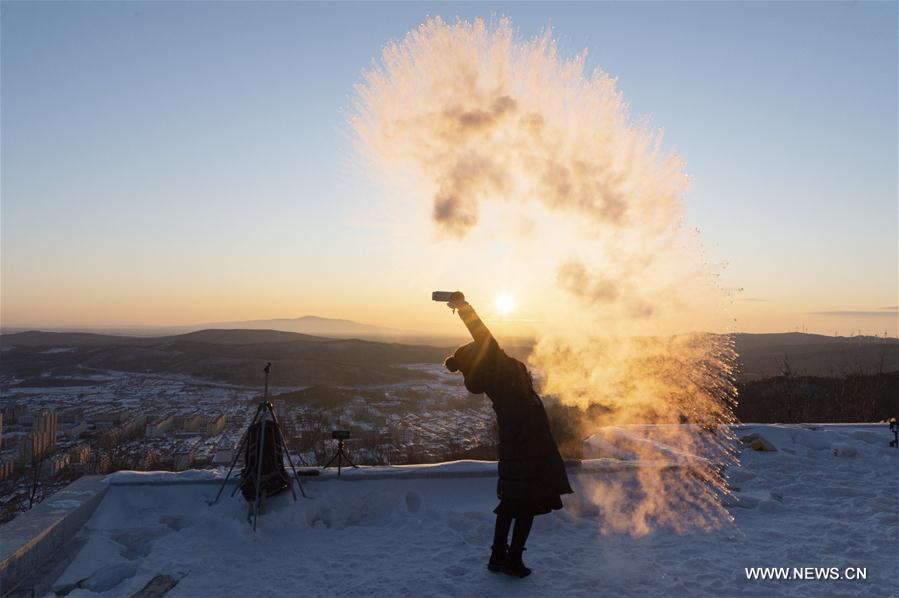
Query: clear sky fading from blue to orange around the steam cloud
(178, 163)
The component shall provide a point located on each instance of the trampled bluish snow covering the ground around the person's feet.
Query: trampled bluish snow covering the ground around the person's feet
(826, 498)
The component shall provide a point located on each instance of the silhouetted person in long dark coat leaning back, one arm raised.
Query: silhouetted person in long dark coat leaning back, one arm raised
(531, 471)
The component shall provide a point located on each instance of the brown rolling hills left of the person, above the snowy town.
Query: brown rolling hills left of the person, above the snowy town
(232, 356)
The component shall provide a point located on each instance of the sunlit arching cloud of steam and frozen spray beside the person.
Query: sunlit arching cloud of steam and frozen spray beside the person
(482, 117)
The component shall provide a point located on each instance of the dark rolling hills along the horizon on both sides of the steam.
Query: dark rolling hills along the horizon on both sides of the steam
(234, 355)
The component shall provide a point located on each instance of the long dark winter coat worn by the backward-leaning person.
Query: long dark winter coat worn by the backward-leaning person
(530, 466)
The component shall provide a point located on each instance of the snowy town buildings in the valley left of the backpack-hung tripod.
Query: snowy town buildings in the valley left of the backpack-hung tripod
(50, 435)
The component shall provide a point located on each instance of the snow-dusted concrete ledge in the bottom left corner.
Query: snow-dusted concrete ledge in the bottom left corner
(32, 539)
